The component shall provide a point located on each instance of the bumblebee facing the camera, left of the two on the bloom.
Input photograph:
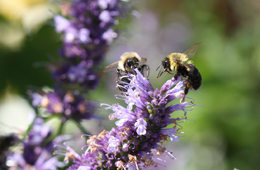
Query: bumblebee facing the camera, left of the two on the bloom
(129, 61)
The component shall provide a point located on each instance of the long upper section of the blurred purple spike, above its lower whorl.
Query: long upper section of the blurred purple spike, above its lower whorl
(86, 38)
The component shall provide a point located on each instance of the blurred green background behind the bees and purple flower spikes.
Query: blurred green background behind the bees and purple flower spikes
(225, 133)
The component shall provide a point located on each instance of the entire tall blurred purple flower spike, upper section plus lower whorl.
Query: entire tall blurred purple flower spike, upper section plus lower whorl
(86, 36)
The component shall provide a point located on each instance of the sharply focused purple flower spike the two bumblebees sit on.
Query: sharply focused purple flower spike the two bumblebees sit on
(142, 128)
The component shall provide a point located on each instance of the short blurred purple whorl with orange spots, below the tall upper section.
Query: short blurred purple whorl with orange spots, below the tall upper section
(70, 104)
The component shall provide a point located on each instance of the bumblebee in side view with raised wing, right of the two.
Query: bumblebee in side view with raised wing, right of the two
(180, 63)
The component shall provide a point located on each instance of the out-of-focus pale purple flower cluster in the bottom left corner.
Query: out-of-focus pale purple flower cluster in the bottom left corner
(37, 150)
